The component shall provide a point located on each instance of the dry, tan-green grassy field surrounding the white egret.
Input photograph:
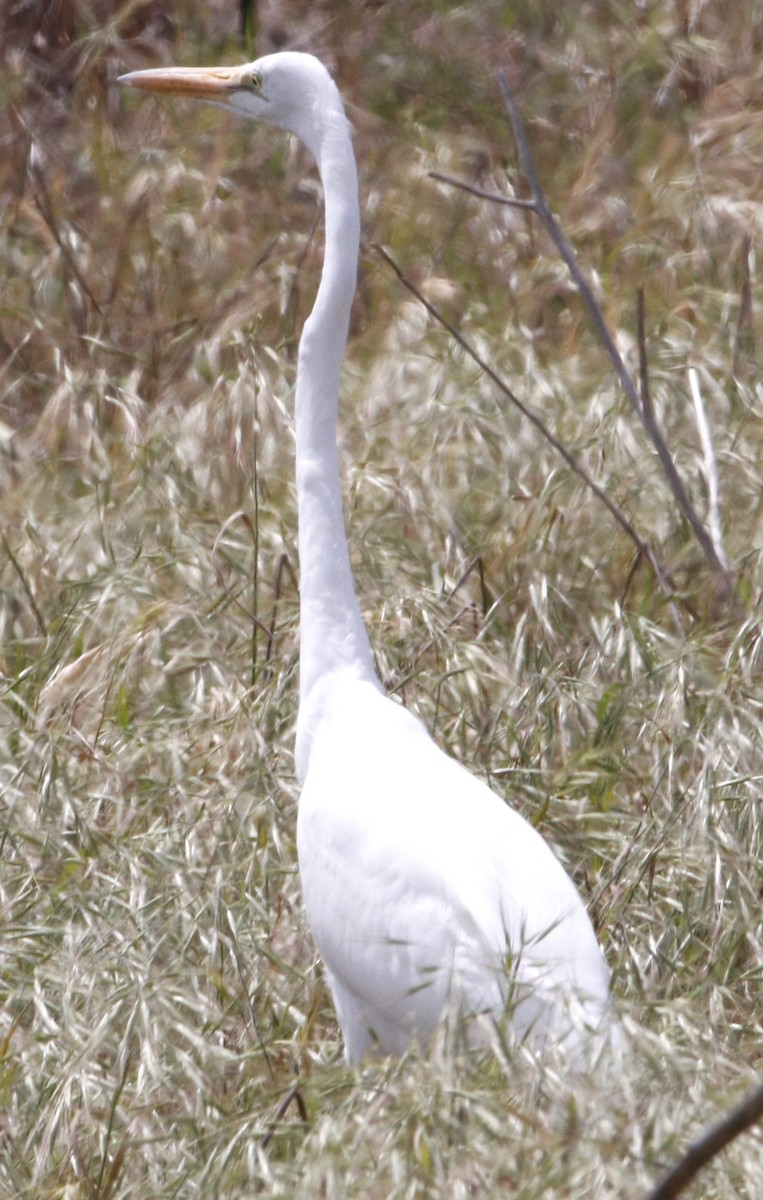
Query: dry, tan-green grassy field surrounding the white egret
(165, 1028)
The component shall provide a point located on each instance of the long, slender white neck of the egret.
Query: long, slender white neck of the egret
(334, 643)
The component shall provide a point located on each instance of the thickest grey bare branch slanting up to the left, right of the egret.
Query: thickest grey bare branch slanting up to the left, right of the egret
(594, 310)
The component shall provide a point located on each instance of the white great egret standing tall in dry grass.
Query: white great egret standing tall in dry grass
(424, 891)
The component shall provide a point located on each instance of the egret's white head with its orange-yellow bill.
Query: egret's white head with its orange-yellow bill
(290, 91)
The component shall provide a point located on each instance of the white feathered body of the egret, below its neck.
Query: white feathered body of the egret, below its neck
(423, 886)
